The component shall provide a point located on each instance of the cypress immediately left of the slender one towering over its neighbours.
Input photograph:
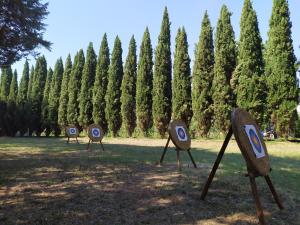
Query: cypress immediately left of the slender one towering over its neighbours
(144, 85)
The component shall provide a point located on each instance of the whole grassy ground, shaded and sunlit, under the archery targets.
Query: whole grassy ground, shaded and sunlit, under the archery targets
(46, 181)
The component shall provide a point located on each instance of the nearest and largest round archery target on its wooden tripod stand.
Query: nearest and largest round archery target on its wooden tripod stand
(255, 153)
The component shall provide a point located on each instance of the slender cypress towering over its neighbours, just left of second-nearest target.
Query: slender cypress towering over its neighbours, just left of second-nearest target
(162, 86)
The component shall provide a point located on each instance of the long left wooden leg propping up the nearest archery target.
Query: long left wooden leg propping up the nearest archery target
(216, 165)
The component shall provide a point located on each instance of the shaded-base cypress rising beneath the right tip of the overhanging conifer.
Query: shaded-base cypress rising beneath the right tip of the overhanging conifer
(36, 97)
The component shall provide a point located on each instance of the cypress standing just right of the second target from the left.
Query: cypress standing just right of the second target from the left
(113, 94)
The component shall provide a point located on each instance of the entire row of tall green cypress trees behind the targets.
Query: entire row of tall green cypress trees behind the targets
(226, 74)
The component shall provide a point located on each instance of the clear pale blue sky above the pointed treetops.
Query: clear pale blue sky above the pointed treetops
(72, 24)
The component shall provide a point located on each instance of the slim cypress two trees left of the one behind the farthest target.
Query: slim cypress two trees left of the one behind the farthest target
(54, 97)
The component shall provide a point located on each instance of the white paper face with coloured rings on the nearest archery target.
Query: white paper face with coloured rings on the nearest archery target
(255, 142)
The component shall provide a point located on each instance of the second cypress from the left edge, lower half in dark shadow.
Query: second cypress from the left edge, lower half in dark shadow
(11, 116)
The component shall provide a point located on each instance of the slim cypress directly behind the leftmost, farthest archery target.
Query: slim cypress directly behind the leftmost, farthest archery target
(74, 88)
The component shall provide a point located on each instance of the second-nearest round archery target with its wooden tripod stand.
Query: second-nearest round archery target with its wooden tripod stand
(179, 135)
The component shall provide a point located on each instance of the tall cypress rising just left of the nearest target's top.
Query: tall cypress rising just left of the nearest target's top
(225, 61)
